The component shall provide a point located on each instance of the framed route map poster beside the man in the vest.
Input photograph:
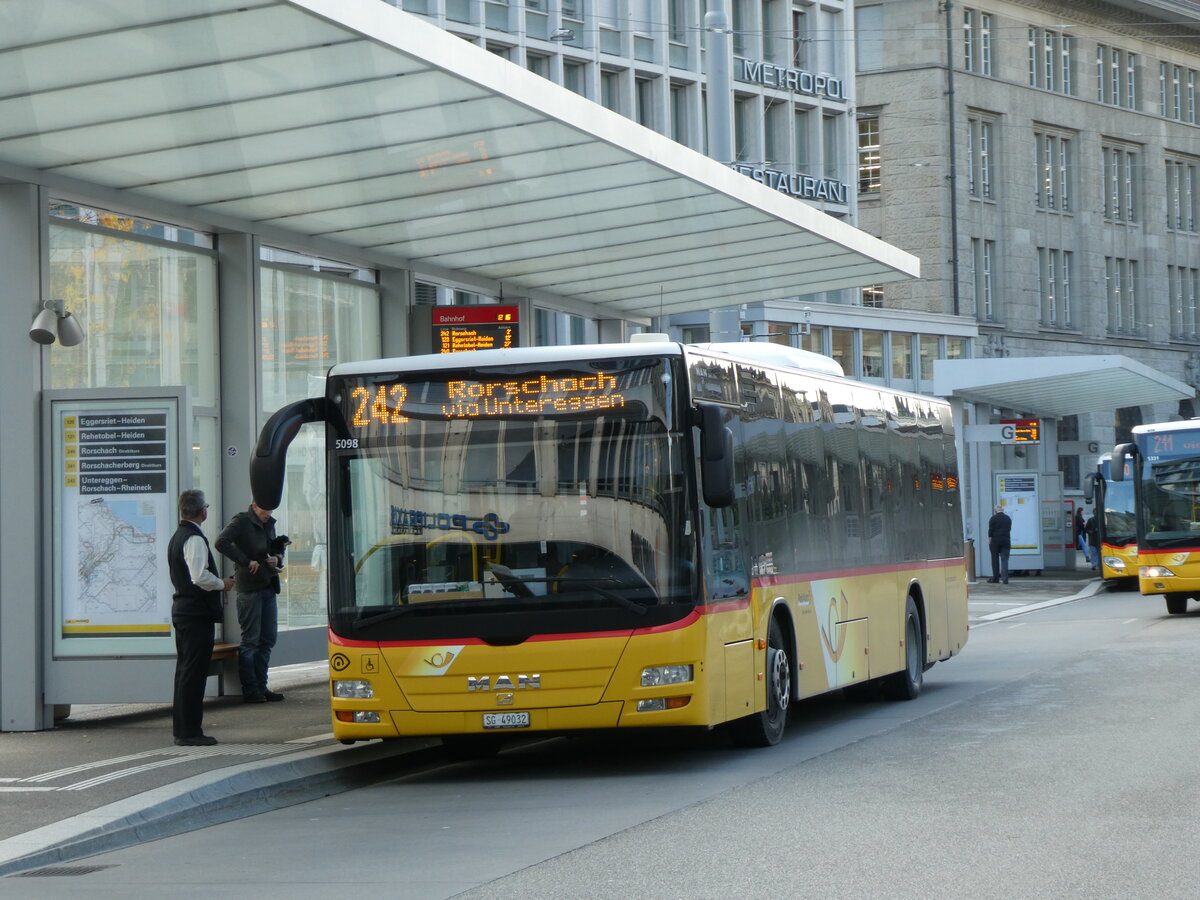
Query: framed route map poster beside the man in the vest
(115, 491)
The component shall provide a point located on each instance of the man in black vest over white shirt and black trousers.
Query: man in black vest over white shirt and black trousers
(196, 609)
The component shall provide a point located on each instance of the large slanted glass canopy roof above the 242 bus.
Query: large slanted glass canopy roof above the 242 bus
(361, 125)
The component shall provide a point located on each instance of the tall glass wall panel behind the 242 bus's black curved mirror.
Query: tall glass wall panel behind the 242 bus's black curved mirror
(309, 323)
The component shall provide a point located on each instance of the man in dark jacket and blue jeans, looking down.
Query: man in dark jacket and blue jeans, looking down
(257, 555)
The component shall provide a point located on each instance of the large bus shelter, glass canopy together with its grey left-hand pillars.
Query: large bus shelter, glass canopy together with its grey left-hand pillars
(352, 130)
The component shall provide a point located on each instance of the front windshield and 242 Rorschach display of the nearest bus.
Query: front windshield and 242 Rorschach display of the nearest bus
(511, 502)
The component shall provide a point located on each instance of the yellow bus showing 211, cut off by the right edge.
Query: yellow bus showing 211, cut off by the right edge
(1163, 461)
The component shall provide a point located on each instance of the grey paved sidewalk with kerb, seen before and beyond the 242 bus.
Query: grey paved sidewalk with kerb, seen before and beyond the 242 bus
(111, 777)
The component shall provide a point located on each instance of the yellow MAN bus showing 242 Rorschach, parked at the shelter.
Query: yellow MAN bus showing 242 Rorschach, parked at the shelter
(626, 536)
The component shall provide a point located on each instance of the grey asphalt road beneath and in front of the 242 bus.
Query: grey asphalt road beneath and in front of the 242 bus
(1053, 759)
